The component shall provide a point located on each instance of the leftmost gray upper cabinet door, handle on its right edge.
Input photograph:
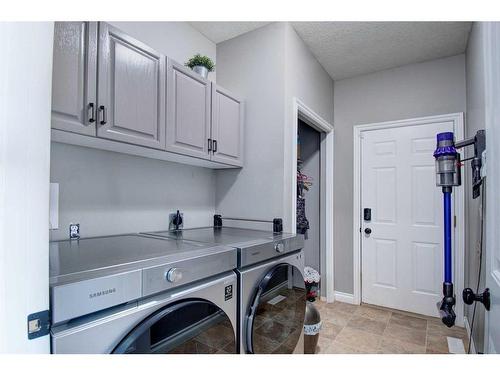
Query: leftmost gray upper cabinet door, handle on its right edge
(74, 77)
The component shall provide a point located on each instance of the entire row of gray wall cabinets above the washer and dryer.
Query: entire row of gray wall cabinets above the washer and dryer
(126, 97)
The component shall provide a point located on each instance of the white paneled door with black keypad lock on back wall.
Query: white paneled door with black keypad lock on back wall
(402, 261)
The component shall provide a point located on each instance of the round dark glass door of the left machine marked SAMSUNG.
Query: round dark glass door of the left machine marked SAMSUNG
(186, 327)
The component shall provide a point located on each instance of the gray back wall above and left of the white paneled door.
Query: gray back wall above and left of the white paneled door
(424, 89)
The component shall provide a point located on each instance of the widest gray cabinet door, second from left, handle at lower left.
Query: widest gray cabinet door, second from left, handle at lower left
(131, 90)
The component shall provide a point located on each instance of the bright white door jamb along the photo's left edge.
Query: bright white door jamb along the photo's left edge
(25, 92)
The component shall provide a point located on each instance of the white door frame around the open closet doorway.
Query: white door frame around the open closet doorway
(302, 111)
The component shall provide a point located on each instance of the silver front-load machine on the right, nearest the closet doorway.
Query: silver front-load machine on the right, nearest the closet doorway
(271, 287)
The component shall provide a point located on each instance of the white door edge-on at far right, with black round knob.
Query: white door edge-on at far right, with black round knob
(492, 336)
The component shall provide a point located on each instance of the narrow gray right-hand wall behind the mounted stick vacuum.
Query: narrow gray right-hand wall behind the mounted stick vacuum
(475, 120)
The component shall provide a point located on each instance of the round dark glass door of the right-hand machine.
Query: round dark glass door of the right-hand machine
(276, 317)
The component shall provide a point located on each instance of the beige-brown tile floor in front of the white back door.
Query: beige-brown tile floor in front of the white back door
(369, 329)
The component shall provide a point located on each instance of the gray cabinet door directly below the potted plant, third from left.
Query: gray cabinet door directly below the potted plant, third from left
(188, 114)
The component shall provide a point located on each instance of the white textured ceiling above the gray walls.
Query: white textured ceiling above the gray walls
(347, 49)
